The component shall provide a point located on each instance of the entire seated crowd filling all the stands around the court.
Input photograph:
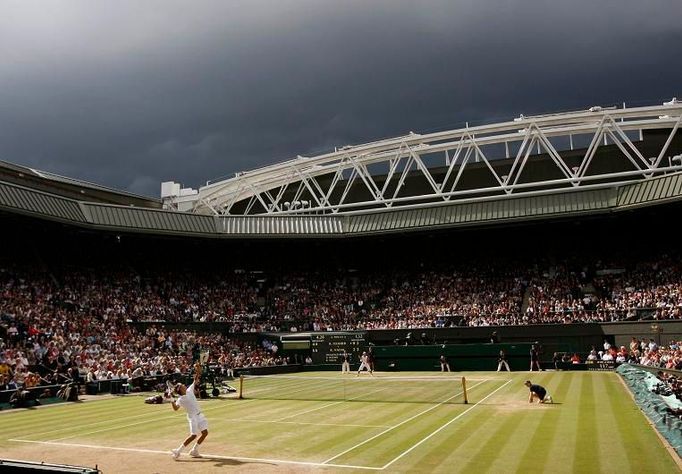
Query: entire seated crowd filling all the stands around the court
(75, 322)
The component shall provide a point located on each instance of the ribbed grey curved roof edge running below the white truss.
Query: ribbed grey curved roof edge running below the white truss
(597, 199)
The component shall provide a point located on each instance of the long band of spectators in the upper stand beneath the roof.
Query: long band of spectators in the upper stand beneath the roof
(487, 295)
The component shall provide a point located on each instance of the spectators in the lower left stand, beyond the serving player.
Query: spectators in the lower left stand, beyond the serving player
(91, 350)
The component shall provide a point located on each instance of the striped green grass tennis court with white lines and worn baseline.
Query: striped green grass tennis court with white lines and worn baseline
(594, 427)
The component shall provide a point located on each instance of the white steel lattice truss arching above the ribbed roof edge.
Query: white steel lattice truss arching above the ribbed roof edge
(373, 176)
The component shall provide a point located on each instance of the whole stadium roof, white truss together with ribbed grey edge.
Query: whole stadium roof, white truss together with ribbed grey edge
(542, 167)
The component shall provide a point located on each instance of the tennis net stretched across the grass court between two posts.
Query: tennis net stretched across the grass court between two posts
(350, 388)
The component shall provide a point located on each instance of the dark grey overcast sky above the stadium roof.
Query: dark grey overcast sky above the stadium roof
(132, 93)
